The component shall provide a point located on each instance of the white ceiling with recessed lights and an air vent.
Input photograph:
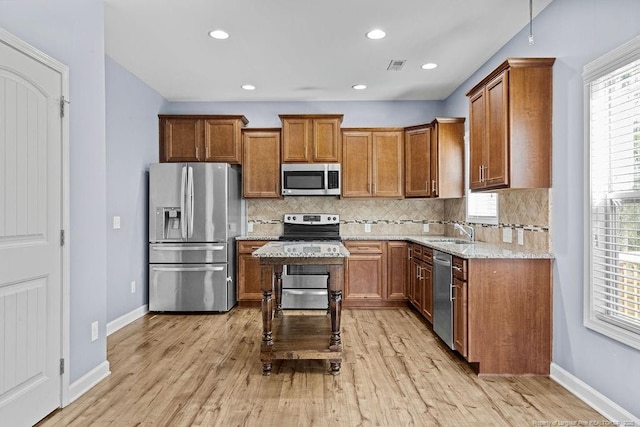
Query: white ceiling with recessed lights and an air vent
(301, 50)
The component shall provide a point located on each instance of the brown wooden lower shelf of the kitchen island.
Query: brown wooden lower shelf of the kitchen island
(301, 337)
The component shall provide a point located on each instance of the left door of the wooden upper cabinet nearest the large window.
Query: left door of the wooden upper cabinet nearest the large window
(477, 133)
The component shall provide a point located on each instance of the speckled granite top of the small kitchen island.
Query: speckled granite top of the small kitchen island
(312, 249)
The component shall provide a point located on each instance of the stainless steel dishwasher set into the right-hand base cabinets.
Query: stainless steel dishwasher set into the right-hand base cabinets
(442, 297)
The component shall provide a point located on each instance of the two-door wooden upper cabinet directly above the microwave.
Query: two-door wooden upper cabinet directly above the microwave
(311, 138)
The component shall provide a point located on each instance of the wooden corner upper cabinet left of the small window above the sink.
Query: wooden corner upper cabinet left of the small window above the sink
(434, 159)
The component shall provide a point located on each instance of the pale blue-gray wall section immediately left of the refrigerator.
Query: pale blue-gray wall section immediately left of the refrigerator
(132, 143)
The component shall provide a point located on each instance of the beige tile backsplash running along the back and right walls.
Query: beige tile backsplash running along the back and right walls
(528, 210)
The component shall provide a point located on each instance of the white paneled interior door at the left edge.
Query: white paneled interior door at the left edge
(30, 248)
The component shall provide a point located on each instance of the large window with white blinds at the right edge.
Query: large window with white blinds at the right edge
(612, 235)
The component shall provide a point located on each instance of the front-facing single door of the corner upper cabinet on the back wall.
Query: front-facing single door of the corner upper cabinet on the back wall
(418, 163)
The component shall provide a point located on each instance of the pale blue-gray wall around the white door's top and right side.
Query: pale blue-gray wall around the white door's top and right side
(72, 31)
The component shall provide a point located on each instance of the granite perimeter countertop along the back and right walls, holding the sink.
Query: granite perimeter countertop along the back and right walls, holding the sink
(442, 243)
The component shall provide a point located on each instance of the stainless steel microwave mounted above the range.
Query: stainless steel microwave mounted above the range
(310, 179)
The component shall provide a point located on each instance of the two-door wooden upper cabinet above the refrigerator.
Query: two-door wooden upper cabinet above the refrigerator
(201, 138)
